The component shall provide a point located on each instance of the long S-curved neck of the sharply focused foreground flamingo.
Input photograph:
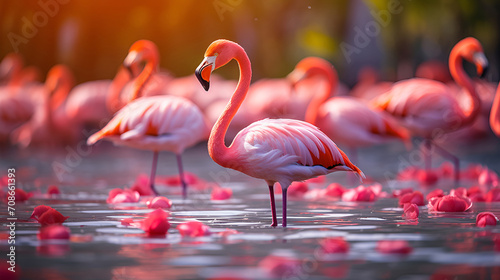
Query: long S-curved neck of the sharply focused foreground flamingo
(217, 149)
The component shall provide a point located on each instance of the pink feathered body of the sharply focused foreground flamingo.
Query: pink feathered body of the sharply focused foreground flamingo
(271, 148)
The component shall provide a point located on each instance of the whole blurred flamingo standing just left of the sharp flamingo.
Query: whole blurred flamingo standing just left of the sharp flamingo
(156, 123)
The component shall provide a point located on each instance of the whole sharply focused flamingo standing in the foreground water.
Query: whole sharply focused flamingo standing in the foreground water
(276, 150)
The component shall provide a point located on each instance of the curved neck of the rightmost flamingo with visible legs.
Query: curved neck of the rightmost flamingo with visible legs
(462, 79)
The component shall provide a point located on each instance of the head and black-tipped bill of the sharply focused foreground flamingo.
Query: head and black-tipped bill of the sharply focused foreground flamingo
(218, 54)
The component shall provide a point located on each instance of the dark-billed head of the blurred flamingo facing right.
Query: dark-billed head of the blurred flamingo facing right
(471, 50)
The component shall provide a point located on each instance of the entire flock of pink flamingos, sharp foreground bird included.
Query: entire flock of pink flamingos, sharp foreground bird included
(286, 130)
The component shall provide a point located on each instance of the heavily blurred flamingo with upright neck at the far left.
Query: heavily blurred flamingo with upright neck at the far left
(49, 126)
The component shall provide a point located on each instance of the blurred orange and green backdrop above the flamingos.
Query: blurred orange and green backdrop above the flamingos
(92, 37)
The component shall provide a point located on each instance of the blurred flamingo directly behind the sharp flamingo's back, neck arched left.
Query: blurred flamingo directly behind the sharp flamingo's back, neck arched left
(345, 119)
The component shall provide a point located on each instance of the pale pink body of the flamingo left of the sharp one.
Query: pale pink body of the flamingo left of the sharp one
(157, 123)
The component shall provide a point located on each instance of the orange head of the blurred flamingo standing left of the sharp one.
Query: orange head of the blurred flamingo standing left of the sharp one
(140, 51)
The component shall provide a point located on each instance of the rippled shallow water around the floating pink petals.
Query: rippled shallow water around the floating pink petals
(444, 244)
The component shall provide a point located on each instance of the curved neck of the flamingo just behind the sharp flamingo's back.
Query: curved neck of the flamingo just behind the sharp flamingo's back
(331, 78)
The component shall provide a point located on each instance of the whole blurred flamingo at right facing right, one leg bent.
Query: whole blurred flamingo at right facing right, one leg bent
(429, 108)
